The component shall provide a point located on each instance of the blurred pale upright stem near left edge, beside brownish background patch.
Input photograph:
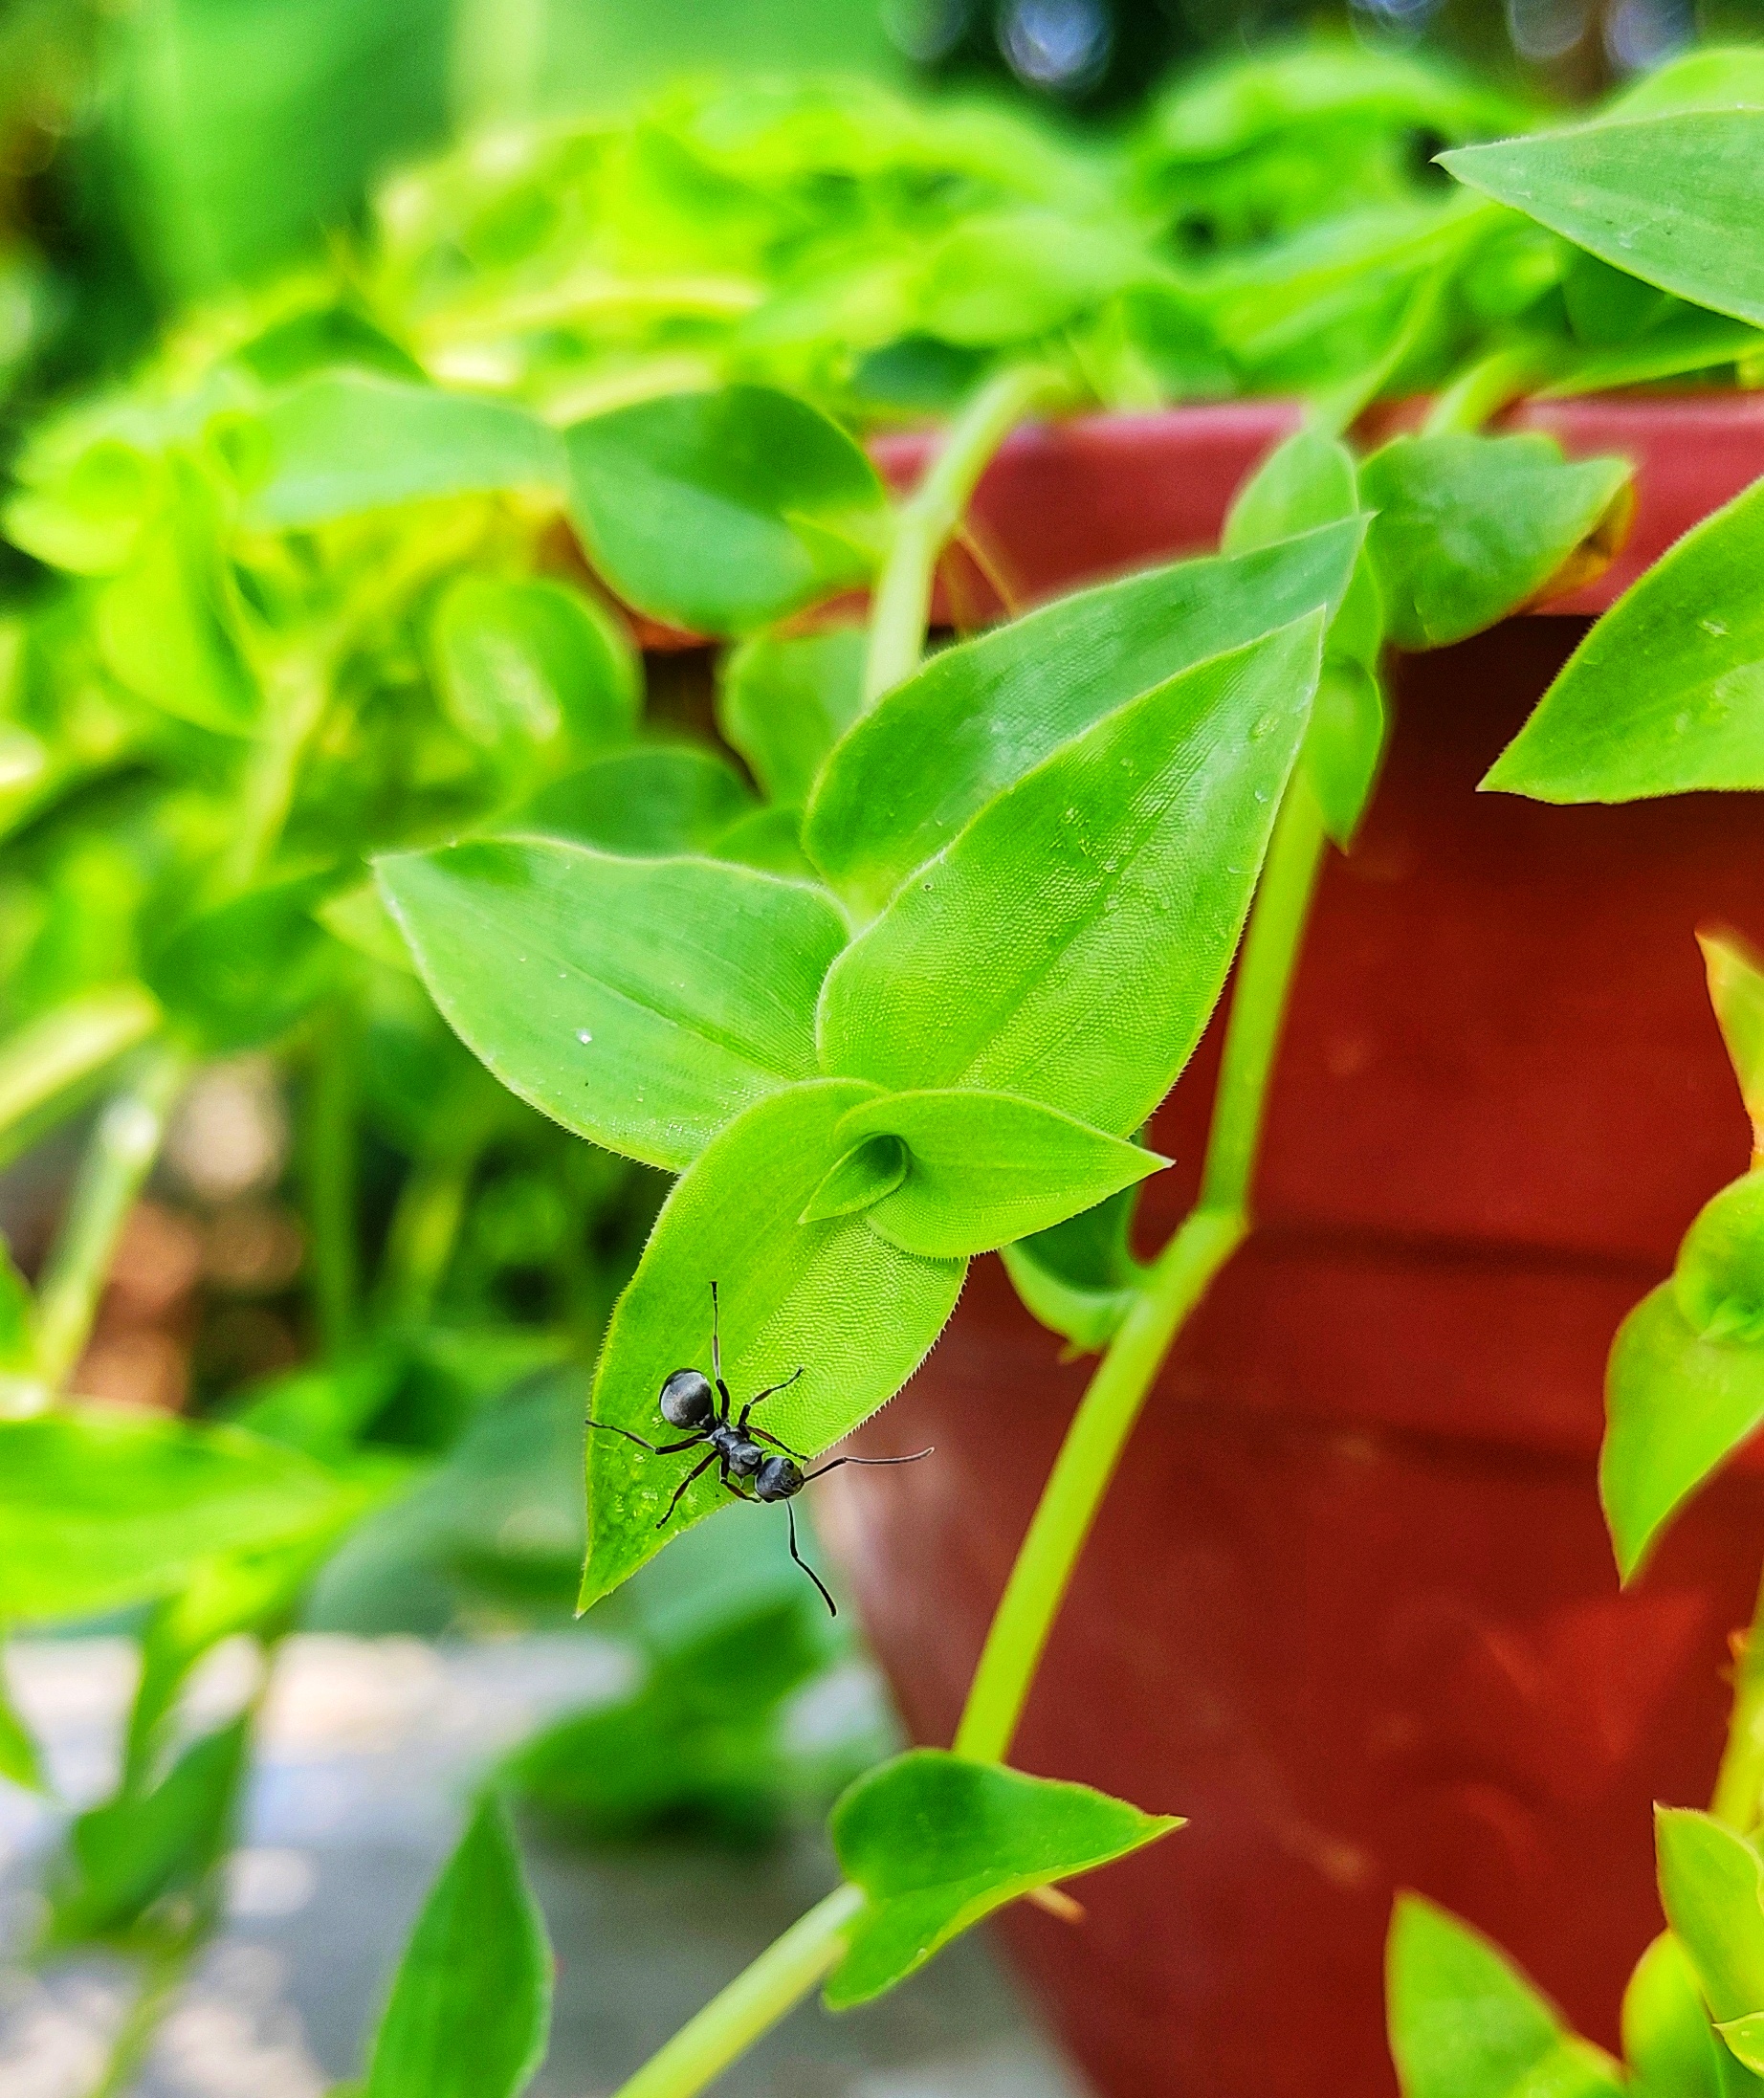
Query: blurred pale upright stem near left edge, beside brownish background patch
(112, 1174)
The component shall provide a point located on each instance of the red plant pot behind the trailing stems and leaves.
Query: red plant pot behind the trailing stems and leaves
(1350, 1604)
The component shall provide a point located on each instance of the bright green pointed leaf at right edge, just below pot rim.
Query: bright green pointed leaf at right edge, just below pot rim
(1666, 693)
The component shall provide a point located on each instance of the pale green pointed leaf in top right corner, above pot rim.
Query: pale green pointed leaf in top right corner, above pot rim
(1673, 198)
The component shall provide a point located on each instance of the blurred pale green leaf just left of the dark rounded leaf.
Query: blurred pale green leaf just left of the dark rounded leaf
(347, 444)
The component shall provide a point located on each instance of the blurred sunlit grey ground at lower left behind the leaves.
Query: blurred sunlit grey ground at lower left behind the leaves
(370, 1755)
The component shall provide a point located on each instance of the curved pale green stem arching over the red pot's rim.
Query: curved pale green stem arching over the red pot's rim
(930, 515)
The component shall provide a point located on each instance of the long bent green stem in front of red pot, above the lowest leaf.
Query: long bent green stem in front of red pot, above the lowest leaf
(1174, 1287)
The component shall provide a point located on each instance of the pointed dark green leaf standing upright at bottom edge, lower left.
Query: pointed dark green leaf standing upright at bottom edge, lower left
(471, 2005)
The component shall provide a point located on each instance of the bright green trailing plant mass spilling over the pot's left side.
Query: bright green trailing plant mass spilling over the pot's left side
(349, 576)
